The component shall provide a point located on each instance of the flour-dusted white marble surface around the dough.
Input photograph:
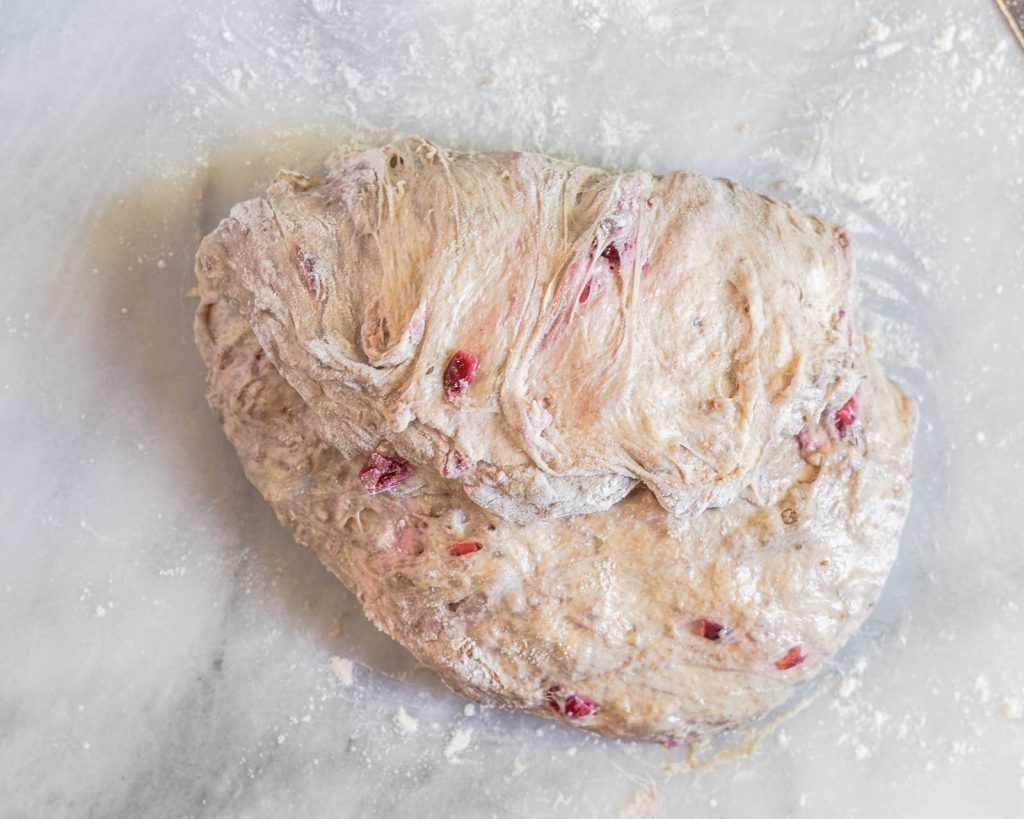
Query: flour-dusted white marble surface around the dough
(165, 648)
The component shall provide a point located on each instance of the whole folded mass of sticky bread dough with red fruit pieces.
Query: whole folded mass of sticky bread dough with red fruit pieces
(518, 528)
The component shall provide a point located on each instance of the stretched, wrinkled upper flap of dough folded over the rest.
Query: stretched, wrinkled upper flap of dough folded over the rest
(629, 329)
